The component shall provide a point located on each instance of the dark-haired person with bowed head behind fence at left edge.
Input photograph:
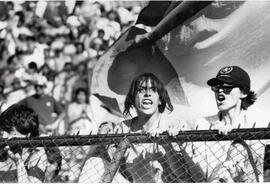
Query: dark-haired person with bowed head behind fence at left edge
(19, 164)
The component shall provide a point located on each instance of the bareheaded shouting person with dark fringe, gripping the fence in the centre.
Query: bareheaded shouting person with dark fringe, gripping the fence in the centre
(153, 162)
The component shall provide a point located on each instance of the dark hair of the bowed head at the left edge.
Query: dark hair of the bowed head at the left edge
(20, 117)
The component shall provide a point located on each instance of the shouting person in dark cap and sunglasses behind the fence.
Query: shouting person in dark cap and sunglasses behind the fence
(224, 161)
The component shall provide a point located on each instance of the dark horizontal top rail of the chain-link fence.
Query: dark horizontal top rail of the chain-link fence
(183, 136)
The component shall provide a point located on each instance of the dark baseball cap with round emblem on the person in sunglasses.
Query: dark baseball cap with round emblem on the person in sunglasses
(231, 75)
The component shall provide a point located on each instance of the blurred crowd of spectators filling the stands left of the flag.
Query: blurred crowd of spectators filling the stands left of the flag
(58, 42)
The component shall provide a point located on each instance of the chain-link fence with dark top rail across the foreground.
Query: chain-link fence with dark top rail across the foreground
(192, 156)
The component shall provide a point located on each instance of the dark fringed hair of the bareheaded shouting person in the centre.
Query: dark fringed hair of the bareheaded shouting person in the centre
(136, 84)
